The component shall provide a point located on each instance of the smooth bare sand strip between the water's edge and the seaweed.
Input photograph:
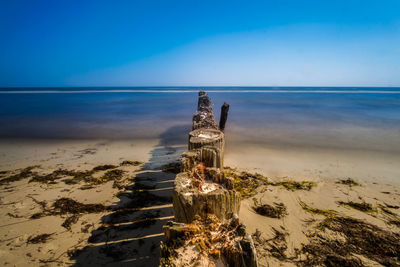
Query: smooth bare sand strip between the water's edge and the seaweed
(295, 162)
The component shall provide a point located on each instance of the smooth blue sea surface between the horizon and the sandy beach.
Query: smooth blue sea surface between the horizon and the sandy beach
(340, 117)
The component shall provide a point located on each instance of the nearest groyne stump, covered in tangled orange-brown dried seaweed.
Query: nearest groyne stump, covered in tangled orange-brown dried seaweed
(203, 241)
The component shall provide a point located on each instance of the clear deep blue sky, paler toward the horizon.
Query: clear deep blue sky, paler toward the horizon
(199, 43)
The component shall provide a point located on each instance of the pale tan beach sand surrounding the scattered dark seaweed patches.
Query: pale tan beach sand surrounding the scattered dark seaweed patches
(133, 238)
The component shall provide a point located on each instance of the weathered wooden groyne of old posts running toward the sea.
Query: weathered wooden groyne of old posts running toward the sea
(206, 230)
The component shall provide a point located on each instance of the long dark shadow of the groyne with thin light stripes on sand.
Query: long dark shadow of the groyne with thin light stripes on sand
(131, 234)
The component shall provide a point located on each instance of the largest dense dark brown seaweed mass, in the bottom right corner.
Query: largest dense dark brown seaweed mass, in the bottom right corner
(359, 238)
